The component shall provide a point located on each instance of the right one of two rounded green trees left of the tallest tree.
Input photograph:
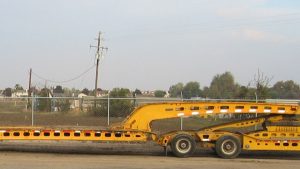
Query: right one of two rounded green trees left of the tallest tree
(191, 89)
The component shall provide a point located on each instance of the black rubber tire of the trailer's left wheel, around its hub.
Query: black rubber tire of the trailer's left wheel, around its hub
(188, 140)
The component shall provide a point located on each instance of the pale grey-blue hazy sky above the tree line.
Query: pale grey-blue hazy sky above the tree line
(152, 44)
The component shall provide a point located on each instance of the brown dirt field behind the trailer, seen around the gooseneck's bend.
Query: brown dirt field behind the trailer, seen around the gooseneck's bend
(54, 119)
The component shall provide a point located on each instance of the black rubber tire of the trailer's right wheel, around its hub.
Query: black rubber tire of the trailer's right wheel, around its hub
(231, 139)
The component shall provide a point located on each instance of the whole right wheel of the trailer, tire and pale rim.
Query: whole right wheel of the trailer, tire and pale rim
(228, 147)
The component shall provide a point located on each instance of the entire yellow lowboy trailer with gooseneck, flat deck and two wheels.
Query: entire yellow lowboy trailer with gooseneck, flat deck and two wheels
(280, 128)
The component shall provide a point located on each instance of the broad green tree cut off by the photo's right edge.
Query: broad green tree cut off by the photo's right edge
(285, 90)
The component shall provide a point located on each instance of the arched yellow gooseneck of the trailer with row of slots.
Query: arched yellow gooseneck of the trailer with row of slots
(141, 118)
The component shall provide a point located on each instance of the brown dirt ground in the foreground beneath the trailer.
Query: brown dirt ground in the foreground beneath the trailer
(88, 155)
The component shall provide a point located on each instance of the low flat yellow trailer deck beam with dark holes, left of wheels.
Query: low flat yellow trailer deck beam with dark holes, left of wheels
(76, 135)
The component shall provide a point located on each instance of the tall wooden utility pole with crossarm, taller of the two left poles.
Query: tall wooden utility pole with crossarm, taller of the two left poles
(99, 54)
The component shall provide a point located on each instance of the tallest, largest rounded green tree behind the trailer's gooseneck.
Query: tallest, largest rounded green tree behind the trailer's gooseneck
(223, 86)
